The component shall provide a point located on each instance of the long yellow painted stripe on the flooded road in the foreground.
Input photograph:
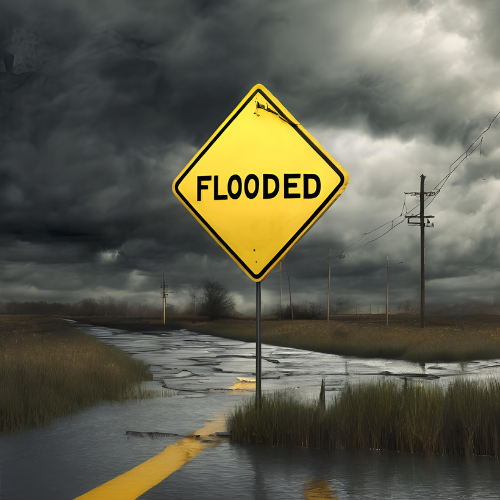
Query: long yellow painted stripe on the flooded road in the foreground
(140, 479)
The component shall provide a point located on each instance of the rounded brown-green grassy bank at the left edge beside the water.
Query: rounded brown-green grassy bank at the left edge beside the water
(48, 369)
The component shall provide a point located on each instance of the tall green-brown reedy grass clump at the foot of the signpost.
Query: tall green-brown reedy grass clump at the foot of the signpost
(463, 419)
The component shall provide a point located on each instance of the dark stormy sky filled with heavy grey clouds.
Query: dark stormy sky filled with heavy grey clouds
(109, 100)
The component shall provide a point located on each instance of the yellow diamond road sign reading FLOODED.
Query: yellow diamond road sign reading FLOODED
(259, 183)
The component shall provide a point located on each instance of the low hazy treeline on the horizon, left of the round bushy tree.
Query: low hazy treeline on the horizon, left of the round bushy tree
(86, 307)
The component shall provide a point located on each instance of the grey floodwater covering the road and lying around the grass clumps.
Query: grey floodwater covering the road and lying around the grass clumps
(207, 374)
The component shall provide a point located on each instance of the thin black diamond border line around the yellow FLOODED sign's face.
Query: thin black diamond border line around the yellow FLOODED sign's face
(302, 229)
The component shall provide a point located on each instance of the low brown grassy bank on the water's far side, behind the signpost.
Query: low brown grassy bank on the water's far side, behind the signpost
(446, 338)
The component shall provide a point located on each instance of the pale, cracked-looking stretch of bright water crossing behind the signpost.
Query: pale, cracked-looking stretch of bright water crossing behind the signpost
(195, 364)
